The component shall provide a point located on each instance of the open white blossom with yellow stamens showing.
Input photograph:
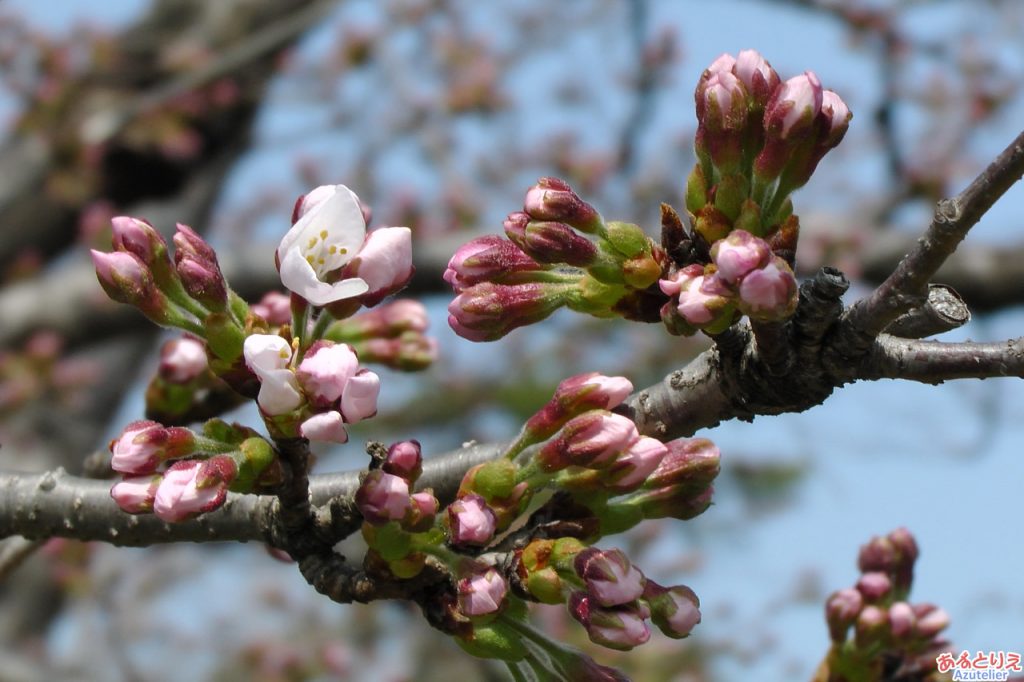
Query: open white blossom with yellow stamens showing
(327, 236)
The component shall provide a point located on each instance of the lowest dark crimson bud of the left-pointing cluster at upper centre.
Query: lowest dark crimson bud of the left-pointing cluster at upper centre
(488, 312)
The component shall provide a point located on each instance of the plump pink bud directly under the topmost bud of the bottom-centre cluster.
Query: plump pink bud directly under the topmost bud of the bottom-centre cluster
(589, 441)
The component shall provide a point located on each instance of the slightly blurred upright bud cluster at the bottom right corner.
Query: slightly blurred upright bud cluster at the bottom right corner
(888, 632)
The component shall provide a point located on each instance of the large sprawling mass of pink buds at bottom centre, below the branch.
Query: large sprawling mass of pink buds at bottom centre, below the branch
(614, 478)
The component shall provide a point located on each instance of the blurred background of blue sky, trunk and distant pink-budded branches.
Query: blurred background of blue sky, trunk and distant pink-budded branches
(441, 114)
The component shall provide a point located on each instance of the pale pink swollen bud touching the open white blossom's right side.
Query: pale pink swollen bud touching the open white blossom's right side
(385, 263)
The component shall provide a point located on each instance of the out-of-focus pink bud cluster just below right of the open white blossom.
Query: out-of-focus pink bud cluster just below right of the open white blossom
(393, 334)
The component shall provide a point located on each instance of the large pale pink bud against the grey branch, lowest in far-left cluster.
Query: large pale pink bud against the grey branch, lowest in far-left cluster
(191, 488)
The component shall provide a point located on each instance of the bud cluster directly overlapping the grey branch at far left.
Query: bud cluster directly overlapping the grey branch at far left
(177, 474)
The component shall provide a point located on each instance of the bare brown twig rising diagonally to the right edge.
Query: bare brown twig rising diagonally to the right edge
(906, 288)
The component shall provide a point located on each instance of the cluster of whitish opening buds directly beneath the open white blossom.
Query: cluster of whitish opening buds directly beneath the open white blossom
(313, 394)
